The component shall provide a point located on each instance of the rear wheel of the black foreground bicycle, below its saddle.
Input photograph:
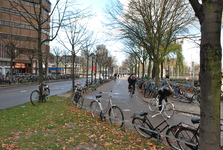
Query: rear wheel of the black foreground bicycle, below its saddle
(138, 122)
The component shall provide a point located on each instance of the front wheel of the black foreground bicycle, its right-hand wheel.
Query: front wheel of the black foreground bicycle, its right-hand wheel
(172, 133)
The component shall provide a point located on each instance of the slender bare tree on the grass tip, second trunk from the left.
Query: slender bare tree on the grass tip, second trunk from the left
(75, 28)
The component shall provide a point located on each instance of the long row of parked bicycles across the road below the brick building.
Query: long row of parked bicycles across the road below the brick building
(27, 78)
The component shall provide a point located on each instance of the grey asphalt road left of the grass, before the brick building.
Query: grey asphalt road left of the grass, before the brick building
(10, 97)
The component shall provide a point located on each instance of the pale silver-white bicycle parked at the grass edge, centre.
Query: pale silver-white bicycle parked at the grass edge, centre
(114, 112)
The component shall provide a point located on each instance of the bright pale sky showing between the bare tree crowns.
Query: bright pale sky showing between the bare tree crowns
(191, 51)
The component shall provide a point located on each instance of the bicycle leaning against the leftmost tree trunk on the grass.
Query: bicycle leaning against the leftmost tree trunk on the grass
(36, 98)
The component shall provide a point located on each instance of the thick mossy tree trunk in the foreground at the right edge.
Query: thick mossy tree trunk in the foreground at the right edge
(210, 15)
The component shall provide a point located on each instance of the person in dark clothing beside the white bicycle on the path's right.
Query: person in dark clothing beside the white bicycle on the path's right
(164, 90)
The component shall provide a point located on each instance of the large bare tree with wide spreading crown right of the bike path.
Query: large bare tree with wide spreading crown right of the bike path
(152, 24)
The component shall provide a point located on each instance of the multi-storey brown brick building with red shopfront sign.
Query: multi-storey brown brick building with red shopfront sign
(16, 33)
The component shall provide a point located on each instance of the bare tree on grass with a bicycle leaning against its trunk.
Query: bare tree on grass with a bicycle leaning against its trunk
(38, 20)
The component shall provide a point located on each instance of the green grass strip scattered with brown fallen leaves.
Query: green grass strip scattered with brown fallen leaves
(57, 124)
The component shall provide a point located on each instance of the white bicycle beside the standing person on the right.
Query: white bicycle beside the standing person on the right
(168, 108)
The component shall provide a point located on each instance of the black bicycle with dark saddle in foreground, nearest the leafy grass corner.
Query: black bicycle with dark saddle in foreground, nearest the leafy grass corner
(145, 128)
